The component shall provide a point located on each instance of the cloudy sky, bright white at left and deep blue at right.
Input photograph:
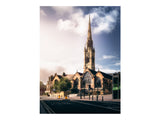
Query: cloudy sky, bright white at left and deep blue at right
(63, 34)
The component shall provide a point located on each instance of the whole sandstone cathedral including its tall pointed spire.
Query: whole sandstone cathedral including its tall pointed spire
(90, 80)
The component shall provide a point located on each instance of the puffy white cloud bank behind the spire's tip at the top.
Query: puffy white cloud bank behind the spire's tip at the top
(78, 23)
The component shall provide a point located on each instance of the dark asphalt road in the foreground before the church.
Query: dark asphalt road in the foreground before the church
(78, 107)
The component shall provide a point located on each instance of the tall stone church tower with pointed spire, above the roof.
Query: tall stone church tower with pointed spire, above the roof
(89, 51)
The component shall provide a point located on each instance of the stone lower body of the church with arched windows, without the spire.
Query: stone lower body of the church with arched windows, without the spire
(89, 80)
